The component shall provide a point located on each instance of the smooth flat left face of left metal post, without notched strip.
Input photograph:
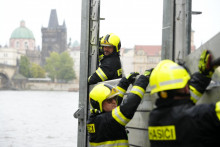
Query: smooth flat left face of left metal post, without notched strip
(81, 114)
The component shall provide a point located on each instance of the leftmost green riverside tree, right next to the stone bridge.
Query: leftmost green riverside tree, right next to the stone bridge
(24, 66)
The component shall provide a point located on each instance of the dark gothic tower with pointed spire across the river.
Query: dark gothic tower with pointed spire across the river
(54, 37)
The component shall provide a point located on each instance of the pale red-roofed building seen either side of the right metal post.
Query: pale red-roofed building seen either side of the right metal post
(143, 57)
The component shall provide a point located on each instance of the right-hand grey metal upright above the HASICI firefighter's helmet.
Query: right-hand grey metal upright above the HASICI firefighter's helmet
(176, 33)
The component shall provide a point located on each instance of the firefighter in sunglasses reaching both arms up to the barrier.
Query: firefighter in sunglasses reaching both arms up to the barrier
(106, 124)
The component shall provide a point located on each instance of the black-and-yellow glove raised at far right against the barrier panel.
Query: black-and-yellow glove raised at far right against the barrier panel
(205, 66)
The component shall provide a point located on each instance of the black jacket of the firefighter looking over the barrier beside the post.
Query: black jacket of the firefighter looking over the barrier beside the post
(110, 68)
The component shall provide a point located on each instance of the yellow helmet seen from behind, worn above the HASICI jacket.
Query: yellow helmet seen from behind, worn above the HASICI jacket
(168, 75)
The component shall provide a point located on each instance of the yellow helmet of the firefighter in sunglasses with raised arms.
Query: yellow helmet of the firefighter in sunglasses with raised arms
(100, 93)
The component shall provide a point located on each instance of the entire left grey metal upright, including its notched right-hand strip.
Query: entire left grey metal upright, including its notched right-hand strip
(88, 62)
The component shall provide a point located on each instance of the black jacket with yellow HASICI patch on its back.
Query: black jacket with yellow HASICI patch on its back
(181, 123)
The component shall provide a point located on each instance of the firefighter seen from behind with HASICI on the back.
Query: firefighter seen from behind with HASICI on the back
(176, 120)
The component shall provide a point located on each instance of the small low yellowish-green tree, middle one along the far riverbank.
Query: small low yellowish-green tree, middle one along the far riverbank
(37, 71)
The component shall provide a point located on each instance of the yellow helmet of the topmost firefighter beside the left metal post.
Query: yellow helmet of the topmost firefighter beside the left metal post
(111, 40)
